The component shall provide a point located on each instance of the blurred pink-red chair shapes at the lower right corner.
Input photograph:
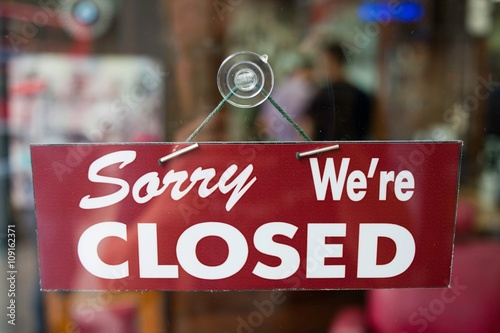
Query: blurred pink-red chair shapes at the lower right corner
(471, 305)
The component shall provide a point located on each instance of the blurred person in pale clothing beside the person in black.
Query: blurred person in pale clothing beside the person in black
(293, 95)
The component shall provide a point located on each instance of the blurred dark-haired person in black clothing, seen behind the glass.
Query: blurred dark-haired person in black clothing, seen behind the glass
(340, 111)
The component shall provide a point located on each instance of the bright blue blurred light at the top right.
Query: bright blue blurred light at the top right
(381, 11)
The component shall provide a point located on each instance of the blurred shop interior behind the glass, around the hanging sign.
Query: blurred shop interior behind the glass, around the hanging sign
(145, 71)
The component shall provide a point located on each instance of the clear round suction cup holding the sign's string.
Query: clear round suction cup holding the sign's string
(247, 77)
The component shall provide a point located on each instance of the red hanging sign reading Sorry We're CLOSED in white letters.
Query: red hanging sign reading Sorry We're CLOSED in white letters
(239, 216)
